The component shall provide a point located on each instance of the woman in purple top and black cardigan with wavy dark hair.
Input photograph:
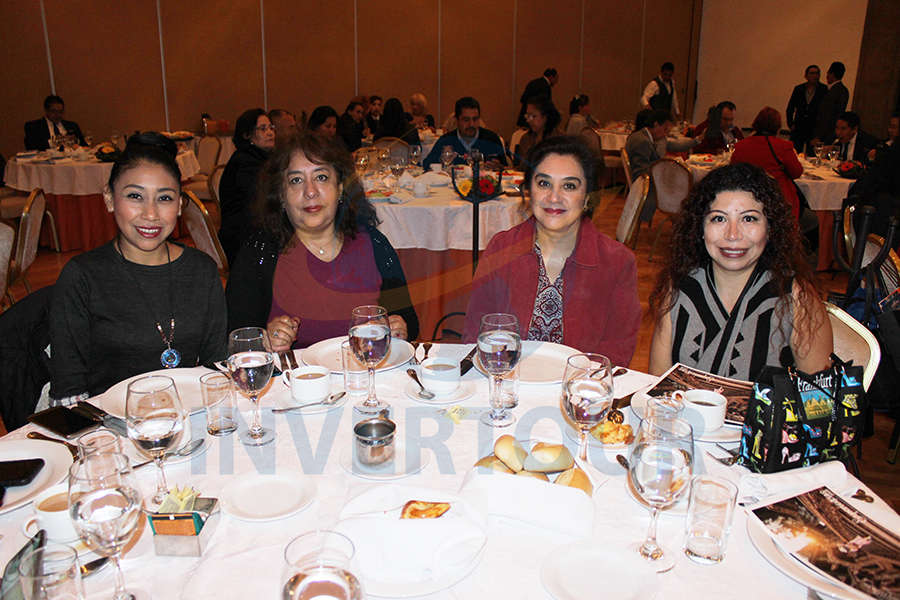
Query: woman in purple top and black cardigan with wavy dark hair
(317, 253)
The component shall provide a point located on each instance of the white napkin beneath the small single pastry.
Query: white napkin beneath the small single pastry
(392, 551)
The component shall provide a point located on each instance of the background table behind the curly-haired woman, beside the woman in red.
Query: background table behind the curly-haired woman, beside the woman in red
(824, 190)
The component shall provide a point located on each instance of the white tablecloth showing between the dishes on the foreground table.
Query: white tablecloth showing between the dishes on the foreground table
(244, 559)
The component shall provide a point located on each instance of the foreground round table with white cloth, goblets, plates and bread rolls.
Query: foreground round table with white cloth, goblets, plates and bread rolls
(517, 488)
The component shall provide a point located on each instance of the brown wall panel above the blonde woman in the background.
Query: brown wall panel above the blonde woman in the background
(398, 52)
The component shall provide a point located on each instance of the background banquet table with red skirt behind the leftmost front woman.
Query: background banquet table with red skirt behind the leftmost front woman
(74, 192)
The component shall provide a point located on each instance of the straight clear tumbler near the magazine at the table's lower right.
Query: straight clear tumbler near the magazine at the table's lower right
(708, 522)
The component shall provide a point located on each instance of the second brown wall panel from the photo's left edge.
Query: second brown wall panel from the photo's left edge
(106, 63)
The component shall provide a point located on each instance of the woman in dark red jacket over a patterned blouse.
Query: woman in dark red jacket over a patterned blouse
(565, 281)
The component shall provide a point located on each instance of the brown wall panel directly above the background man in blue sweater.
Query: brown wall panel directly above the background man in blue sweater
(476, 59)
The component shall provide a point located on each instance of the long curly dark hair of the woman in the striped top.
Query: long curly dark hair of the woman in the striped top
(782, 256)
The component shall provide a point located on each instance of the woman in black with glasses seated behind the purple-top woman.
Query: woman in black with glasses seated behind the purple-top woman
(254, 138)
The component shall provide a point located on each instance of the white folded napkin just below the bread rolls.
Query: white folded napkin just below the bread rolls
(556, 507)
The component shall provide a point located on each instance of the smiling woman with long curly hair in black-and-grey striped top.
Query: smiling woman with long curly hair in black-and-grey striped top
(736, 289)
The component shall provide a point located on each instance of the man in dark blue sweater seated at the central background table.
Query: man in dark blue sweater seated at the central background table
(468, 136)
